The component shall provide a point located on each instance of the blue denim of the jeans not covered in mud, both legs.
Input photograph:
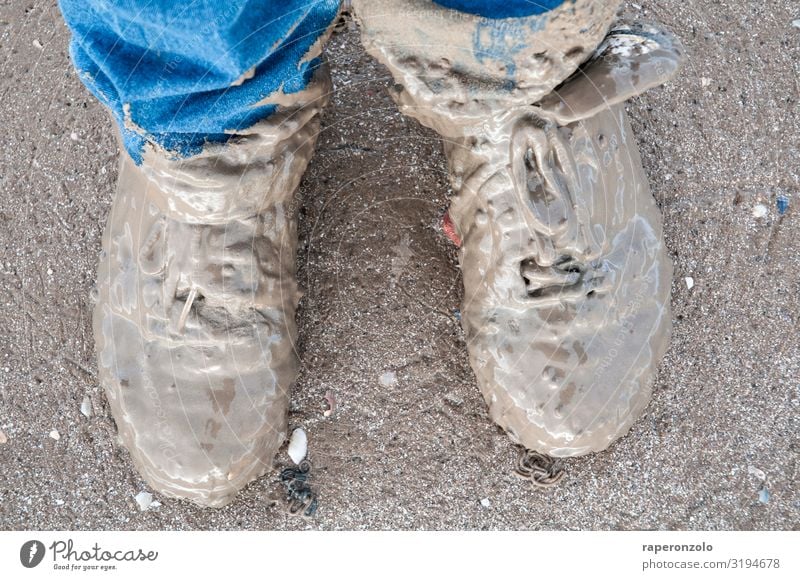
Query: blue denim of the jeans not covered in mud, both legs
(180, 74)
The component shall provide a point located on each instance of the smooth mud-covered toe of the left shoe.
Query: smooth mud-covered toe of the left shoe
(200, 421)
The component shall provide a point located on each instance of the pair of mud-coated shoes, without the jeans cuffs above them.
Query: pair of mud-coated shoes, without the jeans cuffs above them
(566, 278)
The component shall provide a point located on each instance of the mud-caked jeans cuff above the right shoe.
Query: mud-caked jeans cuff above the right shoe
(476, 53)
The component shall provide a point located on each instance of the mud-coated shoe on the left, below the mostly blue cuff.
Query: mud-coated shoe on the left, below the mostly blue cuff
(194, 322)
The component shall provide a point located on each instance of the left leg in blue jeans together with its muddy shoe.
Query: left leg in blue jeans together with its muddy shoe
(217, 108)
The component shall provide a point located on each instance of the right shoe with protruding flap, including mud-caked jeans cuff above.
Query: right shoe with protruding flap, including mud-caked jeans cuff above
(566, 277)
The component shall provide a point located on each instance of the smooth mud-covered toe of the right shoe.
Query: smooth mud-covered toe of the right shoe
(568, 377)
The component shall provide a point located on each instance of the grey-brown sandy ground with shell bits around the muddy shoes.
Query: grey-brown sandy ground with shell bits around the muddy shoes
(720, 145)
